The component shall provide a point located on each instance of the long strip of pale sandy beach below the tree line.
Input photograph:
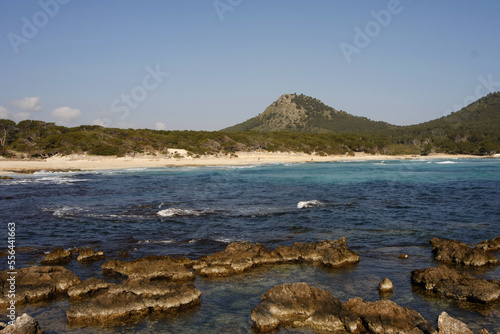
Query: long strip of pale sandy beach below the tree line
(92, 163)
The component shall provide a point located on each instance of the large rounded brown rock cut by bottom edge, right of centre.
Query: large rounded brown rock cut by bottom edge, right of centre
(300, 305)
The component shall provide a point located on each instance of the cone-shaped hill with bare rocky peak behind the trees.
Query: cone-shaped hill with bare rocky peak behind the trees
(300, 113)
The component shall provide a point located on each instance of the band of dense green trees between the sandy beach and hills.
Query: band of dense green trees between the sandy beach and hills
(41, 139)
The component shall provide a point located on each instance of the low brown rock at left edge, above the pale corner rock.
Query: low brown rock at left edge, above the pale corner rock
(35, 284)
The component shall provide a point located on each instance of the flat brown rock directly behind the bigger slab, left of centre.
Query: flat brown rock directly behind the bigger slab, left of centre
(153, 267)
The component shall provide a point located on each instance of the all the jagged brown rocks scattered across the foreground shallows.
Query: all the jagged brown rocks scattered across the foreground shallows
(162, 284)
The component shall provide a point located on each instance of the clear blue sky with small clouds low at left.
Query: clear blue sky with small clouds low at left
(210, 64)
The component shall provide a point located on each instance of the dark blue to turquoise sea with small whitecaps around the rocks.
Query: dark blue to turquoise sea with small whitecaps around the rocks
(383, 208)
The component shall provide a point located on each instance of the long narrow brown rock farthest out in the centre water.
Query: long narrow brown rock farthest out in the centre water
(241, 256)
